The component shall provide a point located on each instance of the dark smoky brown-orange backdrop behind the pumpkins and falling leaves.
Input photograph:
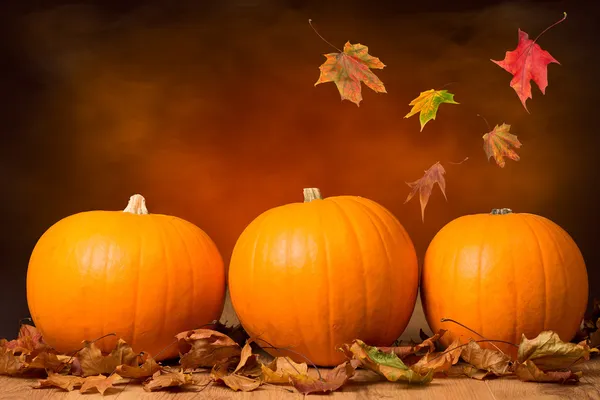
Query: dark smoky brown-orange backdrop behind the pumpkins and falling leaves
(208, 109)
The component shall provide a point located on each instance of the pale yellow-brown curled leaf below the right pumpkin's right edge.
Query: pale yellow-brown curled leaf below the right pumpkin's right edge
(548, 352)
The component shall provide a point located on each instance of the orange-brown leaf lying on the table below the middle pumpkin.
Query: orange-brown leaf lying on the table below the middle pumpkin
(332, 381)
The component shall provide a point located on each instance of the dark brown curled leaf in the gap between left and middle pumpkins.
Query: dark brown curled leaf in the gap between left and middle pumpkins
(205, 348)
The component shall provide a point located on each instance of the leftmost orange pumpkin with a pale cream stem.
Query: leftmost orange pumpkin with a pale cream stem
(144, 277)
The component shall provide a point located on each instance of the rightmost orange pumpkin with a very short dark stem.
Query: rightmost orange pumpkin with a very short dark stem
(503, 275)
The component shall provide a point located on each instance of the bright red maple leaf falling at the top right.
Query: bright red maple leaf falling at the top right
(526, 63)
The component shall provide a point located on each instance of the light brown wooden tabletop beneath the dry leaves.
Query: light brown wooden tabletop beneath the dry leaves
(364, 386)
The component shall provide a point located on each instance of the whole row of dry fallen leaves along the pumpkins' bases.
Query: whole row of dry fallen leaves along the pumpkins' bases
(226, 356)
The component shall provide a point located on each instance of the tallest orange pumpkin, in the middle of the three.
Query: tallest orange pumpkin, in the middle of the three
(312, 276)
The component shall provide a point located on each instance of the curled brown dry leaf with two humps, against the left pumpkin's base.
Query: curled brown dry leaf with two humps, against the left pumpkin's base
(90, 361)
